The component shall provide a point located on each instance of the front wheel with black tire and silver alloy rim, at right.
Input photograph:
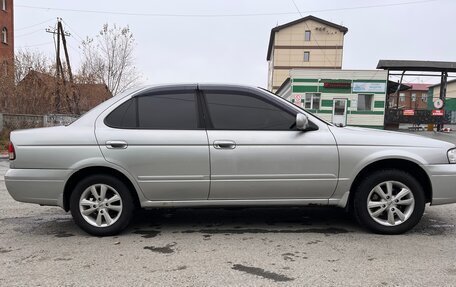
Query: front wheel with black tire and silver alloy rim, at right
(389, 201)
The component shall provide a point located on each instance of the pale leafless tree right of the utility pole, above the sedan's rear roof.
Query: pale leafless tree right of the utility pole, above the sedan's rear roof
(108, 58)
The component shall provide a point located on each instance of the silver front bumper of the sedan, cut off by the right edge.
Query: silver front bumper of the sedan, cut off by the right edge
(443, 180)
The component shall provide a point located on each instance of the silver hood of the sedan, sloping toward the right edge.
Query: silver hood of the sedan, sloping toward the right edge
(365, 136)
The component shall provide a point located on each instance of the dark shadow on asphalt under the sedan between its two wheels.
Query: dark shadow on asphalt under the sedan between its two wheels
(243, 221)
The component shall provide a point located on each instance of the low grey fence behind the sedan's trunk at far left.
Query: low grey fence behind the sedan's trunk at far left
(20, 121)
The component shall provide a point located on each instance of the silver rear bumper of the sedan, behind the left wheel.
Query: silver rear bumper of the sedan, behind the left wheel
(41, 186)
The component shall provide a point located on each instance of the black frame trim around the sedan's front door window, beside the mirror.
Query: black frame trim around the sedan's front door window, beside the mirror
(210, 125)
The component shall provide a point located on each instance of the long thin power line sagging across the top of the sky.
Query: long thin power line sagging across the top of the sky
(225, 15)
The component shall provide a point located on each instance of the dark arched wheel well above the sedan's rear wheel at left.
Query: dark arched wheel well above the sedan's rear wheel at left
(92, 170)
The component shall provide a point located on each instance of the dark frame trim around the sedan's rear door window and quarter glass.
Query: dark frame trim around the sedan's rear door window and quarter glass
(200, 121)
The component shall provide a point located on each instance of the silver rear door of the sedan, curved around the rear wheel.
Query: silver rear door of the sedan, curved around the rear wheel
(159, 138)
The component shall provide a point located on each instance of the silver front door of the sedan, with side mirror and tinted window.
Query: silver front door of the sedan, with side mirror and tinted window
(257, 153)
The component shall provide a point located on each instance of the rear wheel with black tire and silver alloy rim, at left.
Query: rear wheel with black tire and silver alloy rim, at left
(101, 205)
